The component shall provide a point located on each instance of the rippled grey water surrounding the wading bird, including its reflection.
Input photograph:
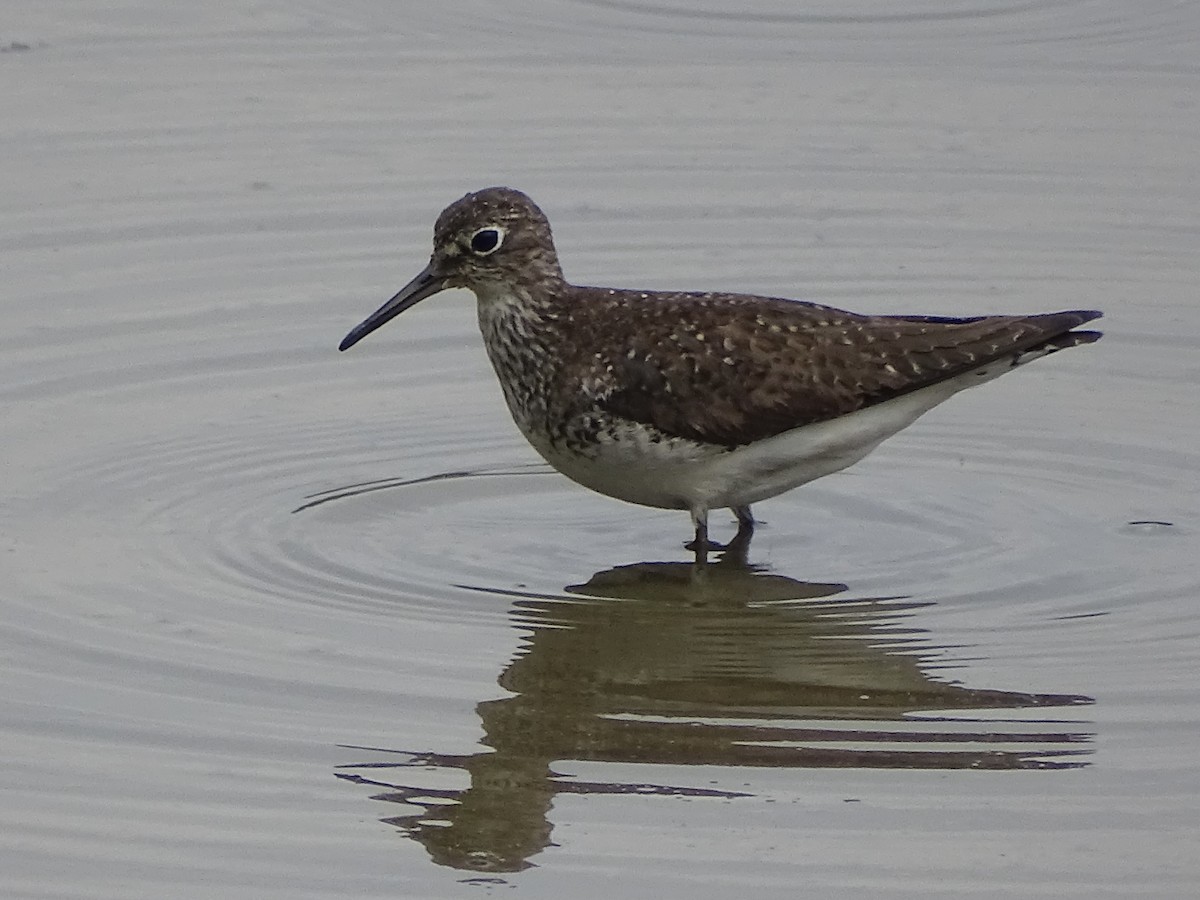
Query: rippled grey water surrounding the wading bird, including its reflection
(284, 622)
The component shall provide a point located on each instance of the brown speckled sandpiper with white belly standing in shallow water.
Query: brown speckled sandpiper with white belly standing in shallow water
(699, 401)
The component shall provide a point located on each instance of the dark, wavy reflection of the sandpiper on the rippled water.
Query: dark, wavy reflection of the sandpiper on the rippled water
(664, 663)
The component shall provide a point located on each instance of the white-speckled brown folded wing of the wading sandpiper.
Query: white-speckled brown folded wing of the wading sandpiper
(729, 370)
